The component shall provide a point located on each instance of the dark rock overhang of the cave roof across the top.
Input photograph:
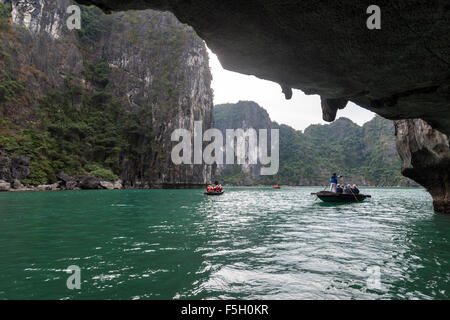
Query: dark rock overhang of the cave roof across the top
(324, 47)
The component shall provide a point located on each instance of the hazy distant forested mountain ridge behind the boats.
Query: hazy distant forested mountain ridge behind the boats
(365, 155)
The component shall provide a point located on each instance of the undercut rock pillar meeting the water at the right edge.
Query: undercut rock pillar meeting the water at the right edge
(426, 159)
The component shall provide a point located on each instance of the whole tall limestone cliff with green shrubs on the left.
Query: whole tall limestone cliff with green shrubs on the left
(102, 100)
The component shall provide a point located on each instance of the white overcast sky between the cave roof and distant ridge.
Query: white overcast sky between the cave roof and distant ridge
(299, 112)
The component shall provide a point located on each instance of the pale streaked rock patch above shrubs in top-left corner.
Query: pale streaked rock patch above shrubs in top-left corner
(46, 45)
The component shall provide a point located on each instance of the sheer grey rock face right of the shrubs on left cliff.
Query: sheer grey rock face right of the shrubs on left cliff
(137, 72)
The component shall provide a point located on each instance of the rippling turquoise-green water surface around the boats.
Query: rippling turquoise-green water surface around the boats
(250, 243)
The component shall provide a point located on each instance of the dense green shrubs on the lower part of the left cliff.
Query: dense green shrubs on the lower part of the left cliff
(68, 137)
